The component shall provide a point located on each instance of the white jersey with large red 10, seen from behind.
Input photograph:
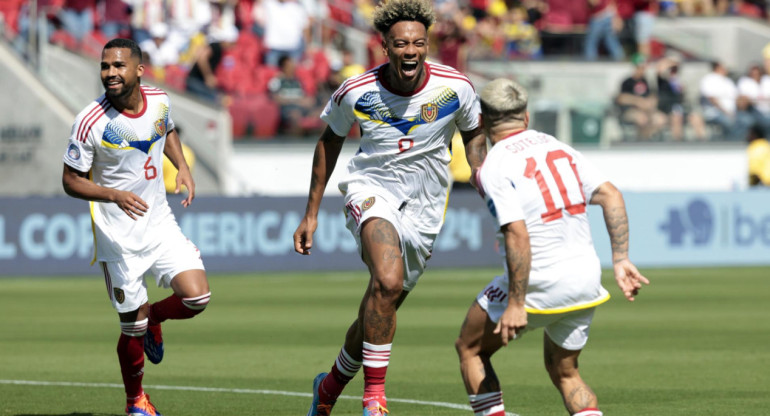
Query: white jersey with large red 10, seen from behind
(531, 176)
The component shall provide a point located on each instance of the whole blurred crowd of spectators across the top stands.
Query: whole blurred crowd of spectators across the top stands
(274, 63)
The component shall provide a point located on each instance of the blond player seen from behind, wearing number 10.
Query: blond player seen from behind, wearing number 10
(537, 188)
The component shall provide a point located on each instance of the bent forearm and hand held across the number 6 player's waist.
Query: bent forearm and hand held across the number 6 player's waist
(76, 184)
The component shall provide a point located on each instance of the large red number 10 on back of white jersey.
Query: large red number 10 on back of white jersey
(553, 212)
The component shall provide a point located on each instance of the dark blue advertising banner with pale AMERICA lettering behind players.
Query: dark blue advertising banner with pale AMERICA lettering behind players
(52, 236)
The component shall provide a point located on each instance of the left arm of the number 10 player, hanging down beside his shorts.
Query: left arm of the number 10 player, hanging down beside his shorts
(518, 258)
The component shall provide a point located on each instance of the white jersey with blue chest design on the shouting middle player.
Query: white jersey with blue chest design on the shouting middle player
(404, 141)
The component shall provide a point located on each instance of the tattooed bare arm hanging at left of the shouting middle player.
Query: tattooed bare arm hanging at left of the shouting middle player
(324, 159)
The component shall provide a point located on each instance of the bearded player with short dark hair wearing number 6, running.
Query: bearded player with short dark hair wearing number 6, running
(114, 159)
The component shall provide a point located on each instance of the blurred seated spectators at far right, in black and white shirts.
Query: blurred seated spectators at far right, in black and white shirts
(732, 106)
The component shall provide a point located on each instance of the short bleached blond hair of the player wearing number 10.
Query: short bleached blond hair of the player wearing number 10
(503, 100)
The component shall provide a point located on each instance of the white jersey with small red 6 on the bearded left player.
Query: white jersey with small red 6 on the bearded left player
(124, 151)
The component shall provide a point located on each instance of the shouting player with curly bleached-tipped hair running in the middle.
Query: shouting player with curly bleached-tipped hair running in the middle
(396, 185)
